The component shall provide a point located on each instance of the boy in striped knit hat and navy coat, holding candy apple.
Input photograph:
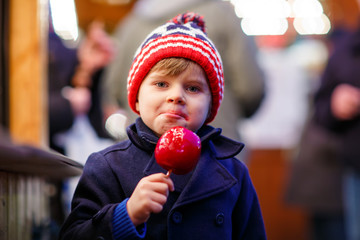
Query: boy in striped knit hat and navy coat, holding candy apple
(176, 80)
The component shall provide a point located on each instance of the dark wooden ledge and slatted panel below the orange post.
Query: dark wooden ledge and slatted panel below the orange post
(25, 191)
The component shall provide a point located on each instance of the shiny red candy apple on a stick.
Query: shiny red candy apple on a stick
(178, 150)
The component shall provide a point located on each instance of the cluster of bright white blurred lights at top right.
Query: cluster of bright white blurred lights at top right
(269, 17)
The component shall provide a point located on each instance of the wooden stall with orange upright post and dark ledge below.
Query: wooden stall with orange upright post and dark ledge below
(26, 165)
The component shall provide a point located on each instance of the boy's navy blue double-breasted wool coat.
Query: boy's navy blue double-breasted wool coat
(216, 201)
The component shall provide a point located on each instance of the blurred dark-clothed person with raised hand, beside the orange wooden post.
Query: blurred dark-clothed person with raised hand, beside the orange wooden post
(74, 80)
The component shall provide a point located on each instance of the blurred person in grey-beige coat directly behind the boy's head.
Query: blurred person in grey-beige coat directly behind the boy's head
(244, 80)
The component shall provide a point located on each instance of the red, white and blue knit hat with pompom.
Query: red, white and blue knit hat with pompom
(183, 36)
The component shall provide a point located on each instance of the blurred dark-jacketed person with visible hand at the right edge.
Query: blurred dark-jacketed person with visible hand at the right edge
(337, 107)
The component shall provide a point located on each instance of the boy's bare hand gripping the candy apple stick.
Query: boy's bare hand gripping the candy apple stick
(149, 197)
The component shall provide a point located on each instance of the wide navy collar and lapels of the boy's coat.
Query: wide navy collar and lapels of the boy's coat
(208, 178)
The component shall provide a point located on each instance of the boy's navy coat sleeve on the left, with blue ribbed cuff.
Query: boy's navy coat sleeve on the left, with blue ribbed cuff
(97, 196)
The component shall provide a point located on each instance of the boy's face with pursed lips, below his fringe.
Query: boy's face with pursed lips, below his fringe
(169, 101)
